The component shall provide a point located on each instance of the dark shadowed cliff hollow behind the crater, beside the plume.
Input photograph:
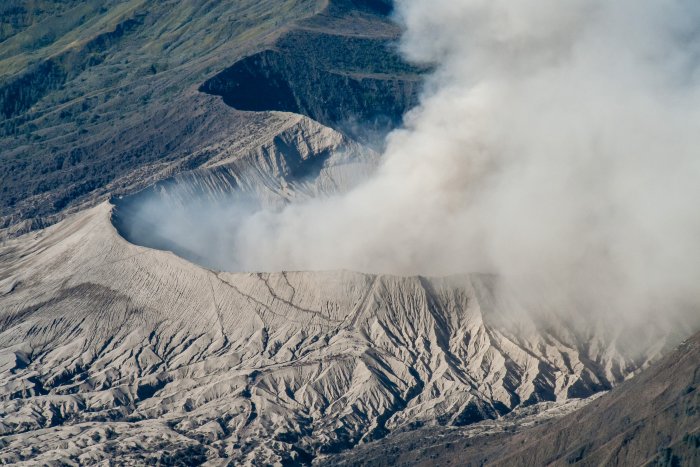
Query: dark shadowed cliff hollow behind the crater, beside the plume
(339, 68)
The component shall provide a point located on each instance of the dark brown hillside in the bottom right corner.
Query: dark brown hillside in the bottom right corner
(652, 419)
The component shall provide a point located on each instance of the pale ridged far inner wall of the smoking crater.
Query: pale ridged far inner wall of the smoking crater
(292, 157)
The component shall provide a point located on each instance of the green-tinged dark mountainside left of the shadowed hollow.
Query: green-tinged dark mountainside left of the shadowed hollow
(111, 89)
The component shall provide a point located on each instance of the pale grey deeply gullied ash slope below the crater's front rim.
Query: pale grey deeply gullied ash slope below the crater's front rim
(112, 350)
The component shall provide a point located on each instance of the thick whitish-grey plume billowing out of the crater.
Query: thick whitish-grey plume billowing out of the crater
(556, 144)
